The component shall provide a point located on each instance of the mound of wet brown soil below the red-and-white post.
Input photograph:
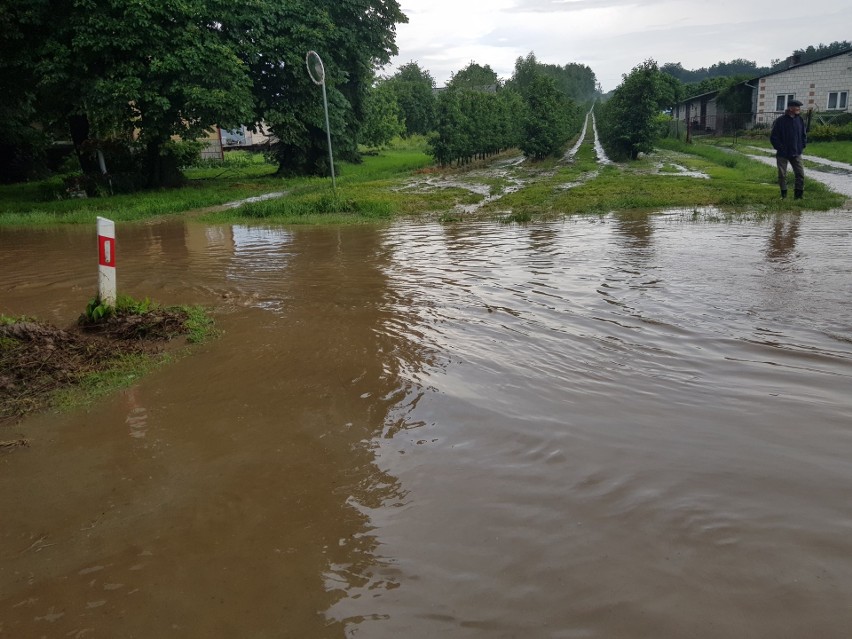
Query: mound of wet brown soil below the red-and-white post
(38, 359)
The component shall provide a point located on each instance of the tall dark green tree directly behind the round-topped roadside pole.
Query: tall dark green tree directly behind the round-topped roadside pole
(353, 38)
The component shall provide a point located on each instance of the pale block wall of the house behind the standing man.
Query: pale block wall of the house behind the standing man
(808, 83)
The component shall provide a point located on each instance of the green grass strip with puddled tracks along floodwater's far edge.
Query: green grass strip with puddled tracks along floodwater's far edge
(401, 181)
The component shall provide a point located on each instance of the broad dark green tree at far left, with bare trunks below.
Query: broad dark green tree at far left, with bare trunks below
(141, 72)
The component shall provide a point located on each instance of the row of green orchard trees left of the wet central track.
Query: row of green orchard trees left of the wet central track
(476, 115)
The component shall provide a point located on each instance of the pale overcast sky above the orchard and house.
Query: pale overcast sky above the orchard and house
(611, 36)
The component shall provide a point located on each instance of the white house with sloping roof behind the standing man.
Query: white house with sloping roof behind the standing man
(822, 85)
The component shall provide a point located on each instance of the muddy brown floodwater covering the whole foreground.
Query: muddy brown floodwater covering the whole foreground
(616, 427)
